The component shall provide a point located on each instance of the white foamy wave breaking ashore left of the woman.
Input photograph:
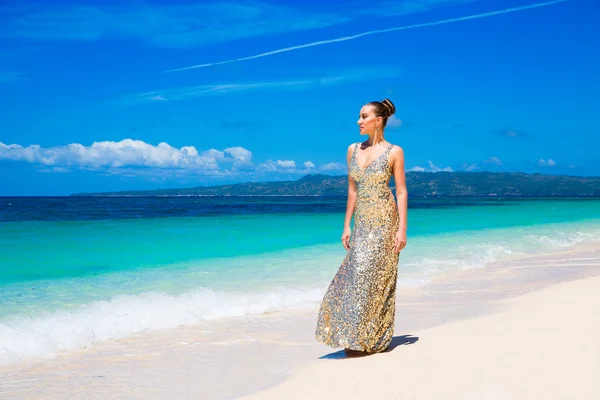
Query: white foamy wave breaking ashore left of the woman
(124, 315)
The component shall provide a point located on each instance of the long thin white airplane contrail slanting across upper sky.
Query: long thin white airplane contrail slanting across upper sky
(359, 35)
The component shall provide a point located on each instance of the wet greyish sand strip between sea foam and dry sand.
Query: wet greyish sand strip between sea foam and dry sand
(260, 352)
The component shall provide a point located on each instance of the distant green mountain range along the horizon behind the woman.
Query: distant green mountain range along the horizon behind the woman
(419, 184)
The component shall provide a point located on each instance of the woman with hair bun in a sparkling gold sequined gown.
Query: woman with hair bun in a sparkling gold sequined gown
(358, 310)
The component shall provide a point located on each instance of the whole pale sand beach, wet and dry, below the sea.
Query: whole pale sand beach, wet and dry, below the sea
(519, 329)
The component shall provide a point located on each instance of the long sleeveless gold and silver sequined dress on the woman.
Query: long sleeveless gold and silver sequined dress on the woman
(358, 309)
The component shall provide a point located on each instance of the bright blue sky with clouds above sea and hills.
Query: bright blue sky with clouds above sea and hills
(99, 96)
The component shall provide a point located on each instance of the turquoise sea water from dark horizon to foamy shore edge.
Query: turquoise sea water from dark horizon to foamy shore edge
(77, 271)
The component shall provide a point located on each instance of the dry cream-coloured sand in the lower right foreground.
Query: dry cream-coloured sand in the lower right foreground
(542, 345)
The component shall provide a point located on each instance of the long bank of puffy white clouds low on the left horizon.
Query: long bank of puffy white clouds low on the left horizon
(135, 157)
